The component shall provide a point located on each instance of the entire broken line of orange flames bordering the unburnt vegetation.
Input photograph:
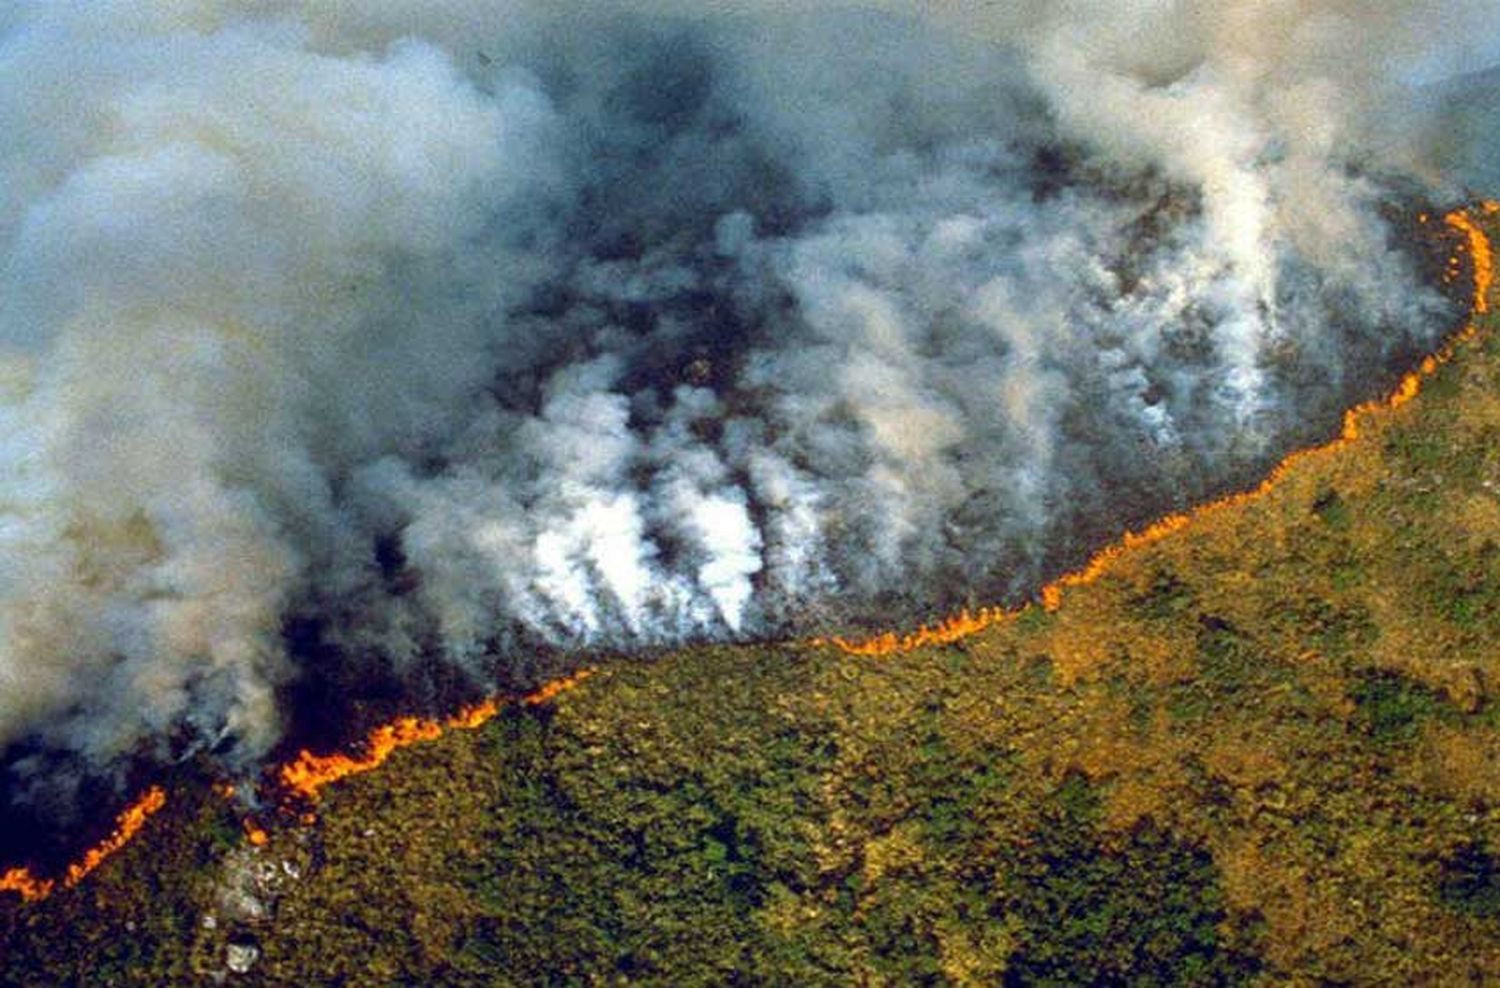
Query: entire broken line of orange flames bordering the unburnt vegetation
(308, 774)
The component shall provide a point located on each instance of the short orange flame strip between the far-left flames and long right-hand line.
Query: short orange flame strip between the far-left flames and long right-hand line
(308, 773)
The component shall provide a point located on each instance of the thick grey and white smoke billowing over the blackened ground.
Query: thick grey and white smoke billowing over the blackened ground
(430, 335)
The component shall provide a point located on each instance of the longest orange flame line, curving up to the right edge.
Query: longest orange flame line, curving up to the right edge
(968, 623)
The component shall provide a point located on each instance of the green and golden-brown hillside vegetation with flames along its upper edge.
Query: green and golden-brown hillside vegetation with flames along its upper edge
(1237, 779)
